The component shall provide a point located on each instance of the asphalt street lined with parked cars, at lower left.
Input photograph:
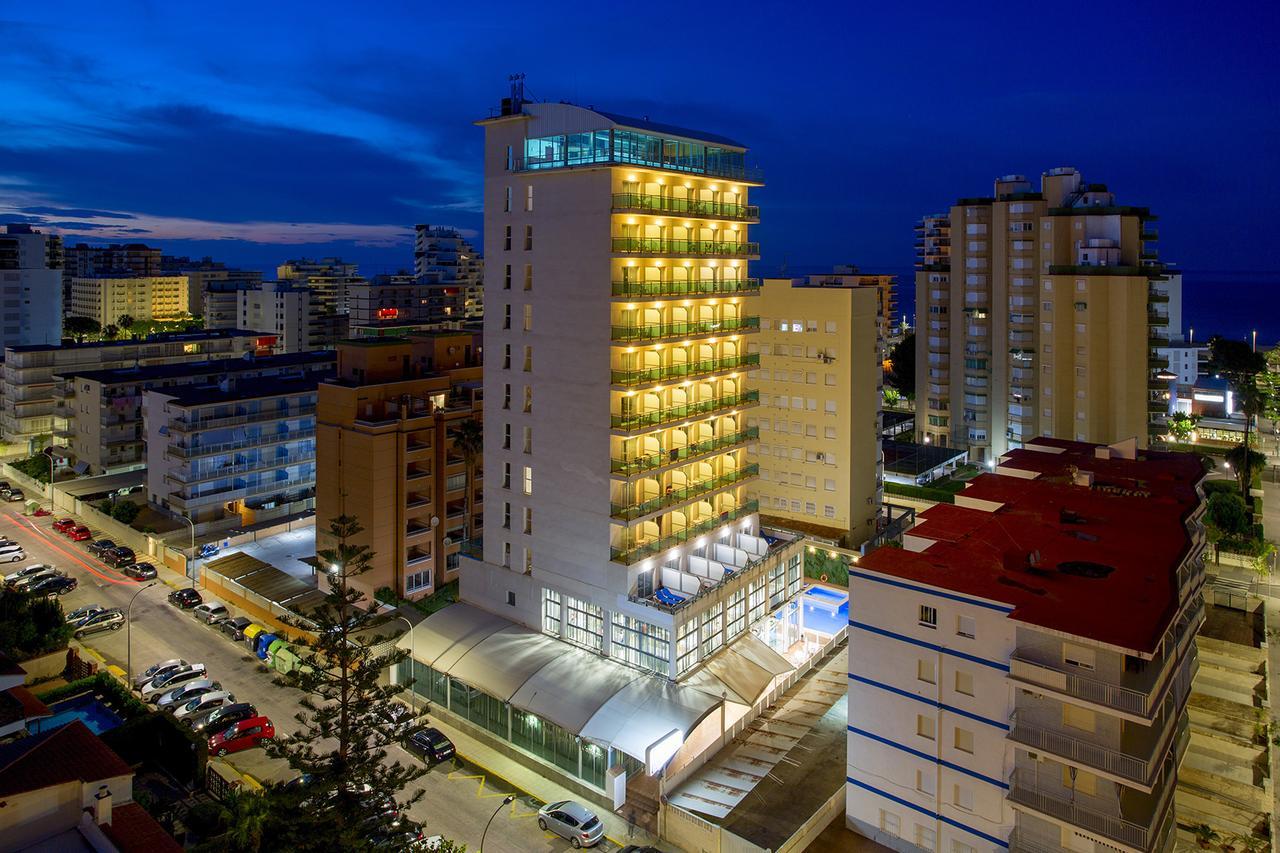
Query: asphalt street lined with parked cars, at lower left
(458, 802)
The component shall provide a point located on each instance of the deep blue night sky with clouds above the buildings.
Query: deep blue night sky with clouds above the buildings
(259, 134)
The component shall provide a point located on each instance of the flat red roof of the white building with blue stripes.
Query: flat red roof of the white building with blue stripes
(1132, 519)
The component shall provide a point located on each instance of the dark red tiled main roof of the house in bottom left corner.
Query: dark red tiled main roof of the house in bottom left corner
(67, 754)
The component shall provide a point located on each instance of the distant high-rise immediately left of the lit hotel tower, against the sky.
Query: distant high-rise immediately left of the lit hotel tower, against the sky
(452, 272)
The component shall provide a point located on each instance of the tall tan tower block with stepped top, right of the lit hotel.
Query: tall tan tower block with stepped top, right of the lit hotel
(1040, 314)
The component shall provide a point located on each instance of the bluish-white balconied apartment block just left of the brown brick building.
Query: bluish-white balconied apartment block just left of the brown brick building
(239, 451)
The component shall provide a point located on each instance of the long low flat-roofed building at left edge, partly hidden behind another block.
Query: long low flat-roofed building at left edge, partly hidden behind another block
(29, 380)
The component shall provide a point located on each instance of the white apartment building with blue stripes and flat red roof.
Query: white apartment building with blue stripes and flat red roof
(1020, 670)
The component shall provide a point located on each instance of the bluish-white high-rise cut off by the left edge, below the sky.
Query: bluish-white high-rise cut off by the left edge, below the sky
(31, 293)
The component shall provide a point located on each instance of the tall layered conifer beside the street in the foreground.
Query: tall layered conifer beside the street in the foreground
(341, 746)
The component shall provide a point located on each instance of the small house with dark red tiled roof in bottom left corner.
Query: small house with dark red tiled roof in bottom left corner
(65, 790)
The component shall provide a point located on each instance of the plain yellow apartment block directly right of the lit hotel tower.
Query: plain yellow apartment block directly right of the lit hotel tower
(819, 422)
